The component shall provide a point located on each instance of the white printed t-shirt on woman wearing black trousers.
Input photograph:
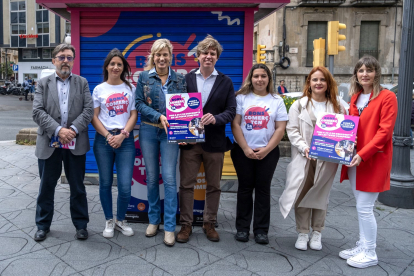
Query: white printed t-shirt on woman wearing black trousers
(259, 114)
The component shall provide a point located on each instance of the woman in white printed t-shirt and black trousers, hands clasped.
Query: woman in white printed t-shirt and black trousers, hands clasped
(258, 127)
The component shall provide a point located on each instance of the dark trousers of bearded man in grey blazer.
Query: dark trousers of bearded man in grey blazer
(50, 170)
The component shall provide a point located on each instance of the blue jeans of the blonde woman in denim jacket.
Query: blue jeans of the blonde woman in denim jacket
(153, 140)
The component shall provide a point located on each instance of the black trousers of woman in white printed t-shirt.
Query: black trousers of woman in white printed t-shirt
(253, 175)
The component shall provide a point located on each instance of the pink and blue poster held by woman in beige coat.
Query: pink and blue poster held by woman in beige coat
(334, 138)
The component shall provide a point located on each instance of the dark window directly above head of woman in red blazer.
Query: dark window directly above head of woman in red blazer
(368, 41)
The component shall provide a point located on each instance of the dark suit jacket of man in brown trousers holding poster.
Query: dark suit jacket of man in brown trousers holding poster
(222, 104)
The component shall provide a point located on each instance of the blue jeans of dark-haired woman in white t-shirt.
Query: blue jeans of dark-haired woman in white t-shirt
(123, 158)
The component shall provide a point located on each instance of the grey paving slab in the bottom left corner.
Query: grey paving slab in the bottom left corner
(40, 262)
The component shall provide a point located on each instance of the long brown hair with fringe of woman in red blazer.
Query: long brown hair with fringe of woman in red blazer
(370, 63)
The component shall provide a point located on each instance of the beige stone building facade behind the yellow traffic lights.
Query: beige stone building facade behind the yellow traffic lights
(372, 27)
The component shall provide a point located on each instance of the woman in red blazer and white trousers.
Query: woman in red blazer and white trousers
(369, 171)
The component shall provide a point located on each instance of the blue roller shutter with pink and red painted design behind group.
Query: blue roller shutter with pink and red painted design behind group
(133, 33)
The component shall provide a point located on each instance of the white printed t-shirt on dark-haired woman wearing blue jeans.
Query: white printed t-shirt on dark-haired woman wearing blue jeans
(116, 103)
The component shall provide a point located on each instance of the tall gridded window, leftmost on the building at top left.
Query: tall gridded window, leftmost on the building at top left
(17, 23)
